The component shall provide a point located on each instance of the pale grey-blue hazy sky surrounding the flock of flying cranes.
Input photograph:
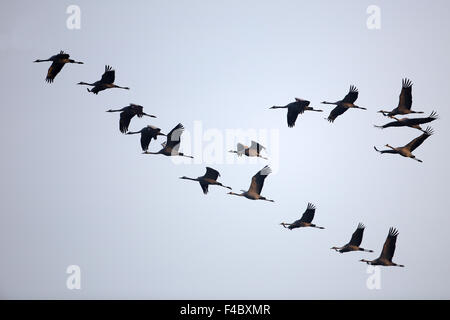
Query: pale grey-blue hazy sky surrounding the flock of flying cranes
(76, 191)
